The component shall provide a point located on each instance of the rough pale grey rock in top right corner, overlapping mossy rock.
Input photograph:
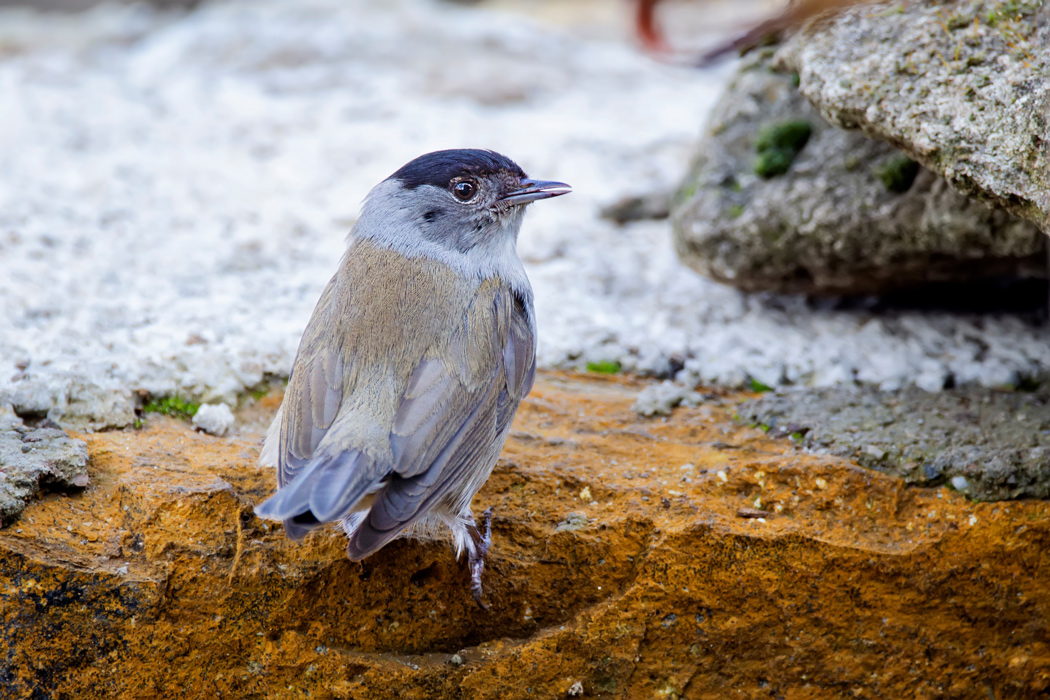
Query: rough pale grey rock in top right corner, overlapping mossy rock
(960, 87)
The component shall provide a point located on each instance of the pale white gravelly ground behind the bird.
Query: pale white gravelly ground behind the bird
(175, 192)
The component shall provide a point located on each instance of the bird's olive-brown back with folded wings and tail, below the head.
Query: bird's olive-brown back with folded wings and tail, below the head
(403, 405)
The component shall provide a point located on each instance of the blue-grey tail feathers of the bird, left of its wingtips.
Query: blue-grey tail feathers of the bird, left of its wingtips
(323, 493)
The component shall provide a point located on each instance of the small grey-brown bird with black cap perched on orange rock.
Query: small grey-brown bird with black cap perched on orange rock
(414, 363)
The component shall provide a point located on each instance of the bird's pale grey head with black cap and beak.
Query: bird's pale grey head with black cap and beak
(458, 201)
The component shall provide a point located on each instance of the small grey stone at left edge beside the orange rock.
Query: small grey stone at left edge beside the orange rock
(35, 460)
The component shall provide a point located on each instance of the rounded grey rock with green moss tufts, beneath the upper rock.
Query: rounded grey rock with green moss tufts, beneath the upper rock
(781, 201)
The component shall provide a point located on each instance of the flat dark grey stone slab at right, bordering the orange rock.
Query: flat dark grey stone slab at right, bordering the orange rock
(999, 441)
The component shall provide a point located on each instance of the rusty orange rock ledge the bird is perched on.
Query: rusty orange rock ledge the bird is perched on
(681, 558)
